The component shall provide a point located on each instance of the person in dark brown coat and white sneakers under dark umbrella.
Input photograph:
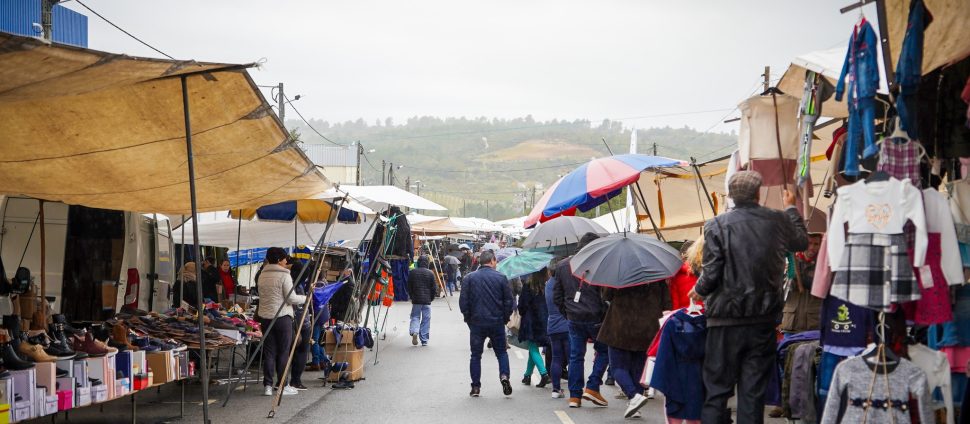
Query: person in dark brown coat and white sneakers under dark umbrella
(631, 323)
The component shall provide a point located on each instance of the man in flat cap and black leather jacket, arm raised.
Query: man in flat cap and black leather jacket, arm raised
(741, 284)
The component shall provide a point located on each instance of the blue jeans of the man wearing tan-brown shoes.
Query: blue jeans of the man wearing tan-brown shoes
(579, 333)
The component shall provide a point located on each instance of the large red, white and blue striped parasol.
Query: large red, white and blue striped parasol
(593, 183)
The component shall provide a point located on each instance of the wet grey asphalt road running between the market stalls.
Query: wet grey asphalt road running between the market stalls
(425, 385)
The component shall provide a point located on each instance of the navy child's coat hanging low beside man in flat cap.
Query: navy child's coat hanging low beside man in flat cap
(680, 357)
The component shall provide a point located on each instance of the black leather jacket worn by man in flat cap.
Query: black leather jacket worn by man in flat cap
(744, 263)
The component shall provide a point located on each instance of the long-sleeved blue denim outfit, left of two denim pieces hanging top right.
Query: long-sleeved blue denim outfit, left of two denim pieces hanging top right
(862, 72)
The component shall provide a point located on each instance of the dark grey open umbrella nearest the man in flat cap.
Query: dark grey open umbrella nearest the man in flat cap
(625, 260)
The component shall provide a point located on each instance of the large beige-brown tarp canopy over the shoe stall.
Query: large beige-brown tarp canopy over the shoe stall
(105, 130)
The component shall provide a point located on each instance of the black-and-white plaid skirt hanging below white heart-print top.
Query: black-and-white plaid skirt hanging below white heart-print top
(877, 272)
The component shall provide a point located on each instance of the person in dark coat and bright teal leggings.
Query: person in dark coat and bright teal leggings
(532, 327)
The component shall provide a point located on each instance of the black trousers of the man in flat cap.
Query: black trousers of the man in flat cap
(742, 356)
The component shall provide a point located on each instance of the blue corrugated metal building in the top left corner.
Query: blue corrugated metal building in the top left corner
(19, 16)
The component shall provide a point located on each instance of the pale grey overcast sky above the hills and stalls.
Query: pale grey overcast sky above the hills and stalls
(504, 58)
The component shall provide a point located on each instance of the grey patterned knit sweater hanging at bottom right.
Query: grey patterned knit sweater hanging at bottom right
(854, 398)
